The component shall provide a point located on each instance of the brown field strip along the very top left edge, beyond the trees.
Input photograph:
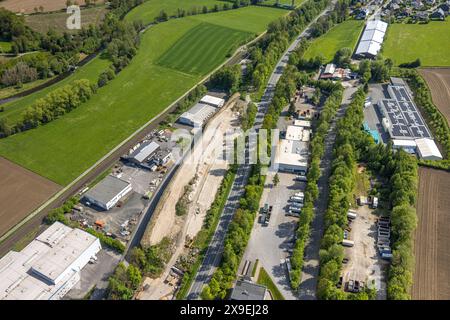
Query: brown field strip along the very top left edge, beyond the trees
(28, 6)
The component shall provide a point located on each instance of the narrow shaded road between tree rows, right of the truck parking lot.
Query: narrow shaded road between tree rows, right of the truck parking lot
(310, 273)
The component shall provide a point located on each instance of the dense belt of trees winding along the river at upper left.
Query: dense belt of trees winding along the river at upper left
(60, 53)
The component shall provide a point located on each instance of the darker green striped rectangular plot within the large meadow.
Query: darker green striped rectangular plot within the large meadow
(198, 51)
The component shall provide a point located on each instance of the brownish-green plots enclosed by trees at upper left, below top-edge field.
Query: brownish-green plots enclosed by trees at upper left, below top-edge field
(57, 20)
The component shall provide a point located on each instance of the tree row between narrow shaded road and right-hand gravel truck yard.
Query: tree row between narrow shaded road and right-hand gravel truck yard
(341, 184)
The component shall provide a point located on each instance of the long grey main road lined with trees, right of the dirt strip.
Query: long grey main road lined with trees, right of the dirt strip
(214, 252)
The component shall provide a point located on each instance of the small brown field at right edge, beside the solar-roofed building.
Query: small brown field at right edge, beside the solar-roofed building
(438, 80)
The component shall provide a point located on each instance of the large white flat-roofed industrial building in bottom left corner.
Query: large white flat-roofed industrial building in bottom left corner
(49, 266)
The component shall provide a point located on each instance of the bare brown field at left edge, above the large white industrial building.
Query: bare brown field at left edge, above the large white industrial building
(21, 191)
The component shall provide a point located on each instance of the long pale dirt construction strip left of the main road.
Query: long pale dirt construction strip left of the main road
(209, 171)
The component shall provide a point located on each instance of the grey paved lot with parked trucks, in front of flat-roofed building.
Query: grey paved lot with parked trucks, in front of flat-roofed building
(271, 244)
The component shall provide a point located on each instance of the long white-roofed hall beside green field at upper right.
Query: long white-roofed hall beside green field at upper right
(371, 39)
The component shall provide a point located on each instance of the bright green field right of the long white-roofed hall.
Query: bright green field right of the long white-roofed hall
(429, 42)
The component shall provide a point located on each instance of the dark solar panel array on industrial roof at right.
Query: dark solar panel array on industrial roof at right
(405, 121)
